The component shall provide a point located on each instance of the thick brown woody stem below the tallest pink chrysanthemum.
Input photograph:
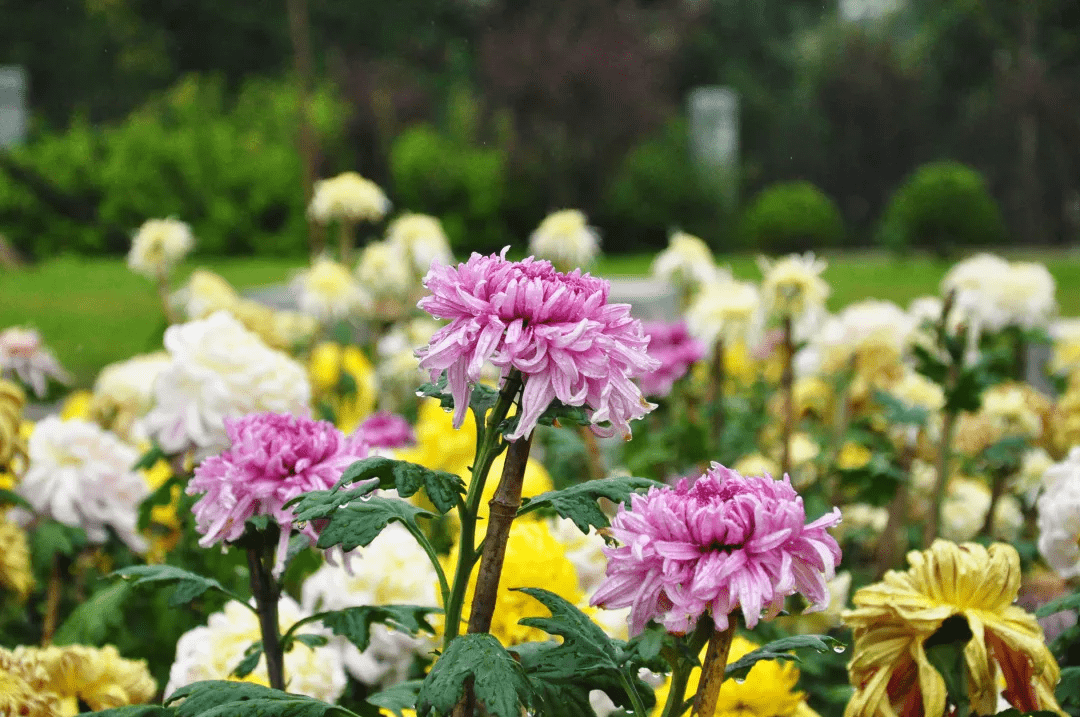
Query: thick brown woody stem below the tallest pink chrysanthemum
(504, 509)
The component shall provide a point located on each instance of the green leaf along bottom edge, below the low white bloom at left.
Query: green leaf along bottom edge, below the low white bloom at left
(225, 699)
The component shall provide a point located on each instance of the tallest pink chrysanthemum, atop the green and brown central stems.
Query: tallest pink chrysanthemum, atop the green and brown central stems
(558, 330)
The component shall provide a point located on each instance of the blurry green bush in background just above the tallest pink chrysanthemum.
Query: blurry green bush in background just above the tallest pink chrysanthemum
(463, 185)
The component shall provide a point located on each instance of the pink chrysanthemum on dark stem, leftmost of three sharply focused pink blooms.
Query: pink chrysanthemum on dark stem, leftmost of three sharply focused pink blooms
(274, 458)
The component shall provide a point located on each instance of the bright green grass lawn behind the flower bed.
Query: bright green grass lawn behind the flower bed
(96, 312)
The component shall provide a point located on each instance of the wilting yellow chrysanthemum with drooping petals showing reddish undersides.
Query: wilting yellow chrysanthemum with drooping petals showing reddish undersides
(894, 618)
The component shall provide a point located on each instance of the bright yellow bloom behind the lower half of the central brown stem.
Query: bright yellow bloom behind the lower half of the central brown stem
(535, 559)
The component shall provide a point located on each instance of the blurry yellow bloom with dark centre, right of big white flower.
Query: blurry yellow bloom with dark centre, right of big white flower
(327, 367)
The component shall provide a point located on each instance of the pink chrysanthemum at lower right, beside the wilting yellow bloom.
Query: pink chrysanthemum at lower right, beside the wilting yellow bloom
(728, 542)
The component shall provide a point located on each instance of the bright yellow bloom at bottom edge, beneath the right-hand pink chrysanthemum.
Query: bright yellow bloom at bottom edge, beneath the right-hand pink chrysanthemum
(768, 691)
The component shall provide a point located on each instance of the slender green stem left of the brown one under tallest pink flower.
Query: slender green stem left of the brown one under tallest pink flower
(489, 447)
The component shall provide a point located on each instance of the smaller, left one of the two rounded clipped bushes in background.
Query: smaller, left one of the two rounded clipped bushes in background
(791, 217)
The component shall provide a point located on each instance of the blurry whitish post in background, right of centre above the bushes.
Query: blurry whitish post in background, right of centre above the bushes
(714, 138)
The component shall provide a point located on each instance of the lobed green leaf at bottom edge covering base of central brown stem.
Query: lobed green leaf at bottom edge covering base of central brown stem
(499, 683)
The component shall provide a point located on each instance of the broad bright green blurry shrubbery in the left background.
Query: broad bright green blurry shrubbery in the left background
(231, 169)
